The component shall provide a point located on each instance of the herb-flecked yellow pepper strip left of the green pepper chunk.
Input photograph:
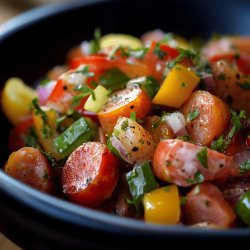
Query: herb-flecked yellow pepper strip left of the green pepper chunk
(46, 140)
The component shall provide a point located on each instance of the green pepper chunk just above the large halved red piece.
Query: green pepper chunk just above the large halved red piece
(83, 130)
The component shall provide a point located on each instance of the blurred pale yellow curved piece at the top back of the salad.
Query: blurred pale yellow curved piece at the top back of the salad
(112, 40)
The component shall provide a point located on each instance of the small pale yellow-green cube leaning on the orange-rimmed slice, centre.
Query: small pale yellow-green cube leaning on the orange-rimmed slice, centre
(101, 97)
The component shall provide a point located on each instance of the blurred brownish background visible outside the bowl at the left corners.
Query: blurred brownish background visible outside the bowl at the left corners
(8, 10)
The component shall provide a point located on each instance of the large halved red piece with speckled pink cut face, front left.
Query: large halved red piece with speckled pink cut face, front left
(90, 174)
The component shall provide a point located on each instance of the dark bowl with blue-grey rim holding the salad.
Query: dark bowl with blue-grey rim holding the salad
(37, 40)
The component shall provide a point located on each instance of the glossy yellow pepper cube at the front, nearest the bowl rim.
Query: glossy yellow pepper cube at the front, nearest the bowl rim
(162, 205)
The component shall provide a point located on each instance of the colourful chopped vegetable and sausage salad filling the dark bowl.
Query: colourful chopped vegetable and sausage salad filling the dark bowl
(155, 128)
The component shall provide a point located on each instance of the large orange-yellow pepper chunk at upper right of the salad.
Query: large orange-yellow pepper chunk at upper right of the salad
(177, 87)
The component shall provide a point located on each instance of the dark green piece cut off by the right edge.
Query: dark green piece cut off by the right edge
(242, 208)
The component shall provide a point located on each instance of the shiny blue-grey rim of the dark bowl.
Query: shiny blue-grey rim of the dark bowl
(65, 210)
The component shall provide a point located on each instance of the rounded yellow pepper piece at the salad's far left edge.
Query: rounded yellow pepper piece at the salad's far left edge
(16, 99)
